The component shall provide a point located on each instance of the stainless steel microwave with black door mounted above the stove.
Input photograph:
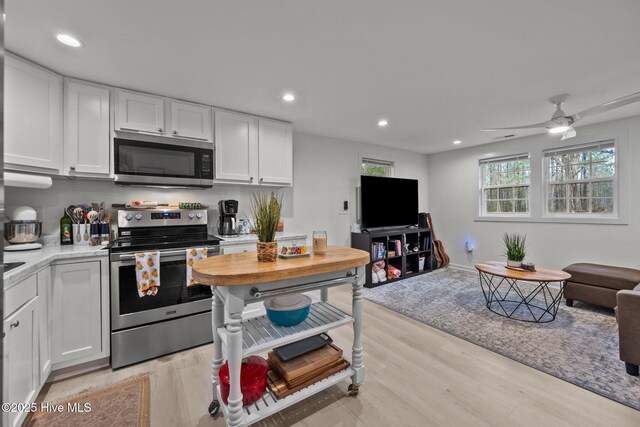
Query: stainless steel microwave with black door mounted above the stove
(160, 164)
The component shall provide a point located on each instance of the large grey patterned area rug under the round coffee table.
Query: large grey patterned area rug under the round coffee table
(580, 346)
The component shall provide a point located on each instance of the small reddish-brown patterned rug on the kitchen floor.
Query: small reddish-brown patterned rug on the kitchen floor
(123, 404)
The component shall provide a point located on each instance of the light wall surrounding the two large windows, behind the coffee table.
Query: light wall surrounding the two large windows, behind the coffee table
(453, 189)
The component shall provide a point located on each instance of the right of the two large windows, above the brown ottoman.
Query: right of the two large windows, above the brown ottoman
(581, 180)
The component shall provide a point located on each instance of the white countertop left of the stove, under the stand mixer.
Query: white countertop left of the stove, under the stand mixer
(36, 259)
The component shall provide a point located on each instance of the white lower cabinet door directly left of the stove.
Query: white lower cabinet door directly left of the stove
(77, 316)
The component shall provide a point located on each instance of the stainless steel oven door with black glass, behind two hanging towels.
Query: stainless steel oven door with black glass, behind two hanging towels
(174, 298)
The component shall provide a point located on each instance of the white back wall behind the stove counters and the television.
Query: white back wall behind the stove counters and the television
(326, 172)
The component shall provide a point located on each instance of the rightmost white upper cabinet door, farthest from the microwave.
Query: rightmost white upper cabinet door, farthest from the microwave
(275, 153)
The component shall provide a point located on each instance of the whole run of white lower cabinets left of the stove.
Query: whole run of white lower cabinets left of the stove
(54, 319)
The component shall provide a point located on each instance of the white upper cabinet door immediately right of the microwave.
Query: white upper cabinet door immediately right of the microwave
(236, 145)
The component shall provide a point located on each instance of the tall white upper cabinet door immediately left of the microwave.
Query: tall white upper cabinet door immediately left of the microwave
(86, 125)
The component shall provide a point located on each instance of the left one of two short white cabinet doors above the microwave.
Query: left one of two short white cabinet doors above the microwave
(139, 112)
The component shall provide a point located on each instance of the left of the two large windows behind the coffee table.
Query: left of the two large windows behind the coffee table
(504, 185)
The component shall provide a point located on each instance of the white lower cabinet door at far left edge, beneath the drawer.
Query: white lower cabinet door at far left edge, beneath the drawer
(21, 367)
